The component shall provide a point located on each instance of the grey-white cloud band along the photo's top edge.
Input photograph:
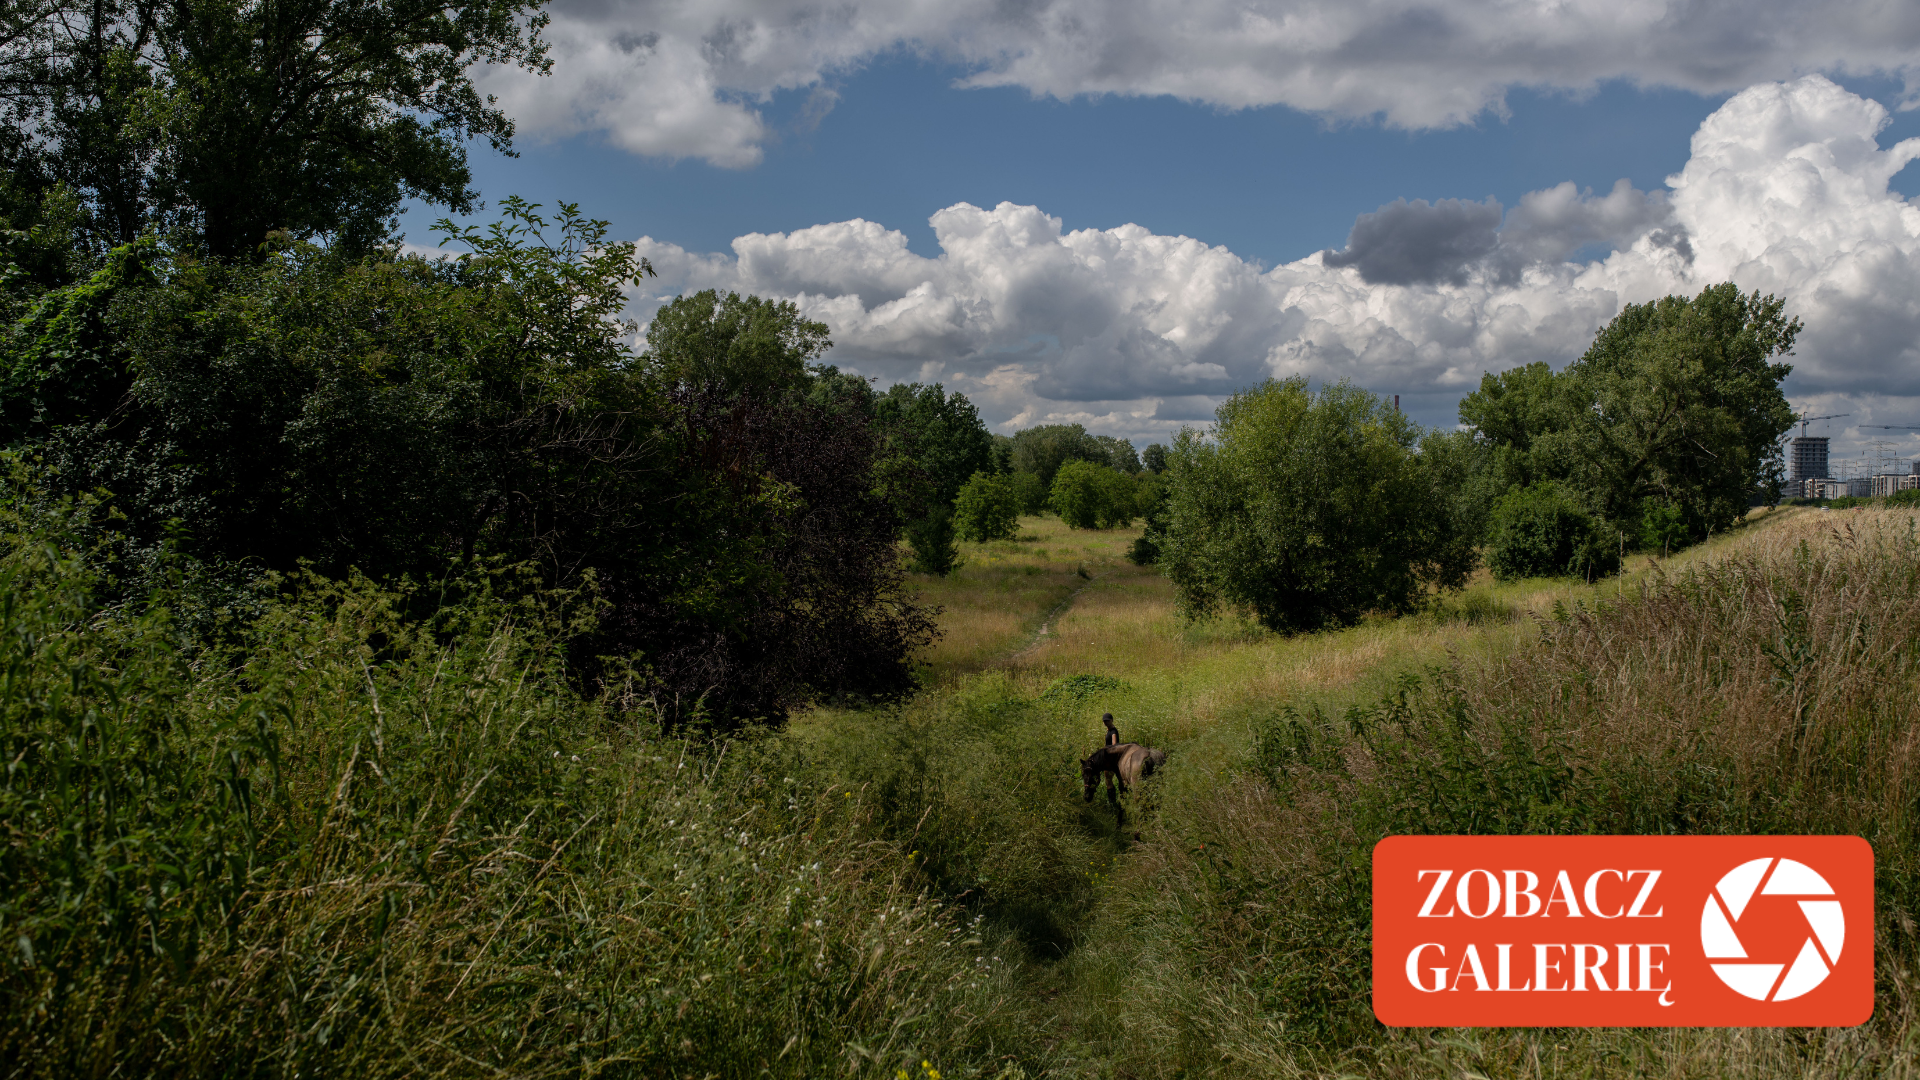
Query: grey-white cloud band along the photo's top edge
(688, 78)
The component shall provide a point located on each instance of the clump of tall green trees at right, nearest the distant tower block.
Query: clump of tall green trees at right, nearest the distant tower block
(1677, 403)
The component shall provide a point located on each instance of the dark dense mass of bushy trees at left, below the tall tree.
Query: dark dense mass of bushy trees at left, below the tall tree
(402, 418)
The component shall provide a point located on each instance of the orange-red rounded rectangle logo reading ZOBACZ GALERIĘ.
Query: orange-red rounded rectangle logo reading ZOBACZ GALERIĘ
(1623, 931)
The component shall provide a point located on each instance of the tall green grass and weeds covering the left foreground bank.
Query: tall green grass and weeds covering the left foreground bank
(366, 847)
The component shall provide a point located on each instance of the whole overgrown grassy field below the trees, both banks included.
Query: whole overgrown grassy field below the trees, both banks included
(358, 845)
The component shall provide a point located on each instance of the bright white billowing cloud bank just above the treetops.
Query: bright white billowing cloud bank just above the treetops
(1136, 333)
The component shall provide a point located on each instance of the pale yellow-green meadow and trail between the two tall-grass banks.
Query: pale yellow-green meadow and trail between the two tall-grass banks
(1063, 620)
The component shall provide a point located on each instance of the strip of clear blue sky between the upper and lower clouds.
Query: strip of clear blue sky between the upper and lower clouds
(1272, 184)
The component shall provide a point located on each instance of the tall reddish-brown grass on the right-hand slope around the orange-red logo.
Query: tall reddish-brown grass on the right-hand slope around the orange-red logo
(1771, 691)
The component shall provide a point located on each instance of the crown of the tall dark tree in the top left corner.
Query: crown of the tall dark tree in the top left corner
(231, 122)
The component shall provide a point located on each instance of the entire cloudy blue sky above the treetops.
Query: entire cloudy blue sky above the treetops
(1118, 212)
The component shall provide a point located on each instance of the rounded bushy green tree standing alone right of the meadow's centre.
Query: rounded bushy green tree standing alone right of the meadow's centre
(1307, 510)
